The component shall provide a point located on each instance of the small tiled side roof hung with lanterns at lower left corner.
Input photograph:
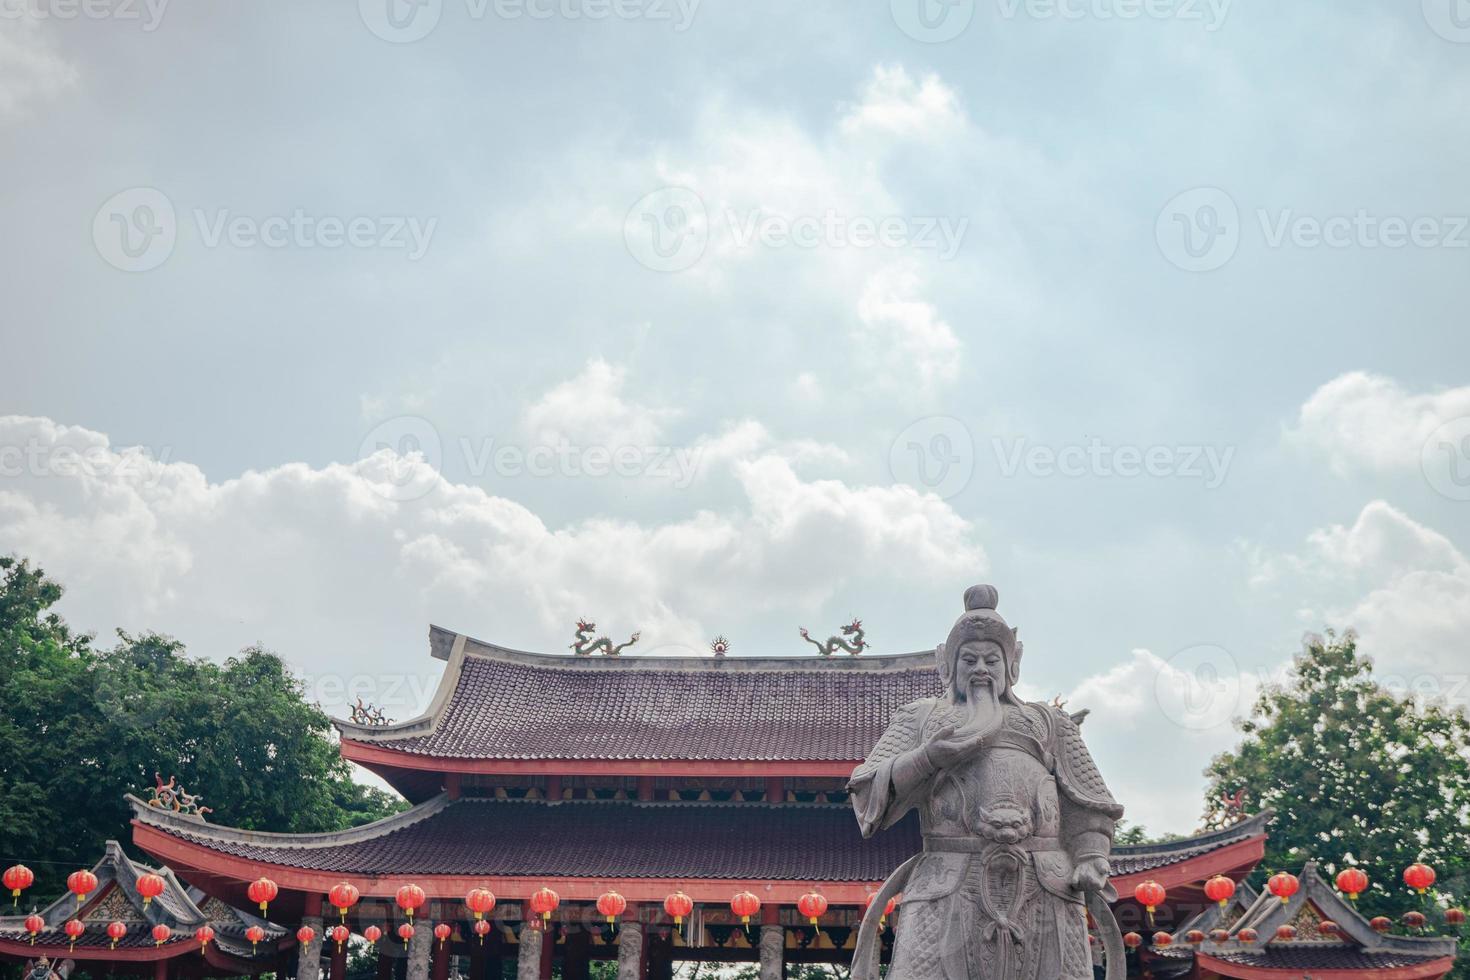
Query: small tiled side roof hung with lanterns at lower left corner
(180, 907)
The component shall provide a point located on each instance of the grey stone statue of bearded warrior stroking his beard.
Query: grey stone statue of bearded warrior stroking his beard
(1018, 825)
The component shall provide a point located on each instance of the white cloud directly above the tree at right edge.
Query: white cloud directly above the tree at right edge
(1403, 587)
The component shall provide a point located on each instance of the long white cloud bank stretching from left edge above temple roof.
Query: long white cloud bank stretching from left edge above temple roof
(321, 565)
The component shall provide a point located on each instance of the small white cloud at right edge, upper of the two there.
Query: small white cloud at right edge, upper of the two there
(1368, 421)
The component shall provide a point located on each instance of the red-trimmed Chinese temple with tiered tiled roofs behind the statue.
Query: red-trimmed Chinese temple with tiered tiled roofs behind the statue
(653, 810)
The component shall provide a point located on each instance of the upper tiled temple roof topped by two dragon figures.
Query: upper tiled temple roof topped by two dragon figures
(503, 705)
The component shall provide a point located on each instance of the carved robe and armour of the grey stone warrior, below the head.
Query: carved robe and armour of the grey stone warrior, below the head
(990, 900)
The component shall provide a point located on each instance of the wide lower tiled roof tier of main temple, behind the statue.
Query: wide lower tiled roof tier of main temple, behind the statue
(615, 840)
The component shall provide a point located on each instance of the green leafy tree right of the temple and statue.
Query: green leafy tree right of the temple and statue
(1356, 777)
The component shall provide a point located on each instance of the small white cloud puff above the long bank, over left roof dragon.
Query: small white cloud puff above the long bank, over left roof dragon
(592, 411)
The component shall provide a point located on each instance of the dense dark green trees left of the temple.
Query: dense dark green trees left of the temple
(83, 727)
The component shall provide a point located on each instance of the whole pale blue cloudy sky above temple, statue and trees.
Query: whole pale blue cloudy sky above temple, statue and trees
(329, 321)
